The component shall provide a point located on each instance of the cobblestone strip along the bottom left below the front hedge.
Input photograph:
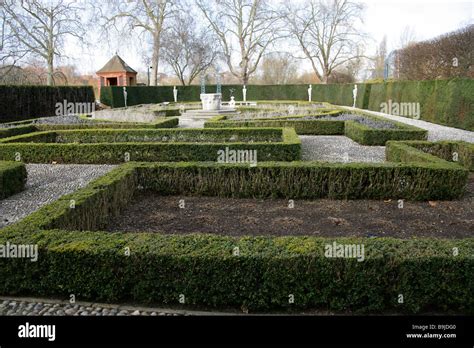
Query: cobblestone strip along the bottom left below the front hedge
(28, 308)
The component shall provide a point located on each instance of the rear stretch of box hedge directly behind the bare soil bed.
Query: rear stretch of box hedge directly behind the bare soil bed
(438, 179)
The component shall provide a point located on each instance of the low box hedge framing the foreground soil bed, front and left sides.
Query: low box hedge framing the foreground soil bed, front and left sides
(75, 257)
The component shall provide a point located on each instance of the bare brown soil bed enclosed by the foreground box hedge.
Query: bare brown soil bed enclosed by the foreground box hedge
(328, 218)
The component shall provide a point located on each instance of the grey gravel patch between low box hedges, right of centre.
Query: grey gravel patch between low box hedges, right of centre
(339, 149)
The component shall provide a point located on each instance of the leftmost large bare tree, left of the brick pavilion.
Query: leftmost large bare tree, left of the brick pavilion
(40, 27)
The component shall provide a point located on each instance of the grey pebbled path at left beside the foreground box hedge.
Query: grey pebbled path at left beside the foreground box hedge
(46, 183)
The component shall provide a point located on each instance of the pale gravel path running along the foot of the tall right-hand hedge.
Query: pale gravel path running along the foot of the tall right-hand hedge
(435, 132)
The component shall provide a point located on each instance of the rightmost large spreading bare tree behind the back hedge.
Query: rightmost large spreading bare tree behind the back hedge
(326, 31)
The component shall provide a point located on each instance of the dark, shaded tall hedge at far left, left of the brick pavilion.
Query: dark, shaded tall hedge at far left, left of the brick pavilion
(26, 102)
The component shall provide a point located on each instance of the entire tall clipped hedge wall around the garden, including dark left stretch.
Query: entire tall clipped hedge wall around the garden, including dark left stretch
(446, 102)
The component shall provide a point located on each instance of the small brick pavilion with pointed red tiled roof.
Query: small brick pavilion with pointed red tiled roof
(116, 73)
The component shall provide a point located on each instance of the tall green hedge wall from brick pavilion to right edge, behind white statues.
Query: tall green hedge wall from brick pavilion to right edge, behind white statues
(446, 102)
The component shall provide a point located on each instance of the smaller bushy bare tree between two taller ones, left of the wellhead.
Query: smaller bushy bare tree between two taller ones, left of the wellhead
(188, 50)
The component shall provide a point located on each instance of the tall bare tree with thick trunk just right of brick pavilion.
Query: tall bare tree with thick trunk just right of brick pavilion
(145, 16)
